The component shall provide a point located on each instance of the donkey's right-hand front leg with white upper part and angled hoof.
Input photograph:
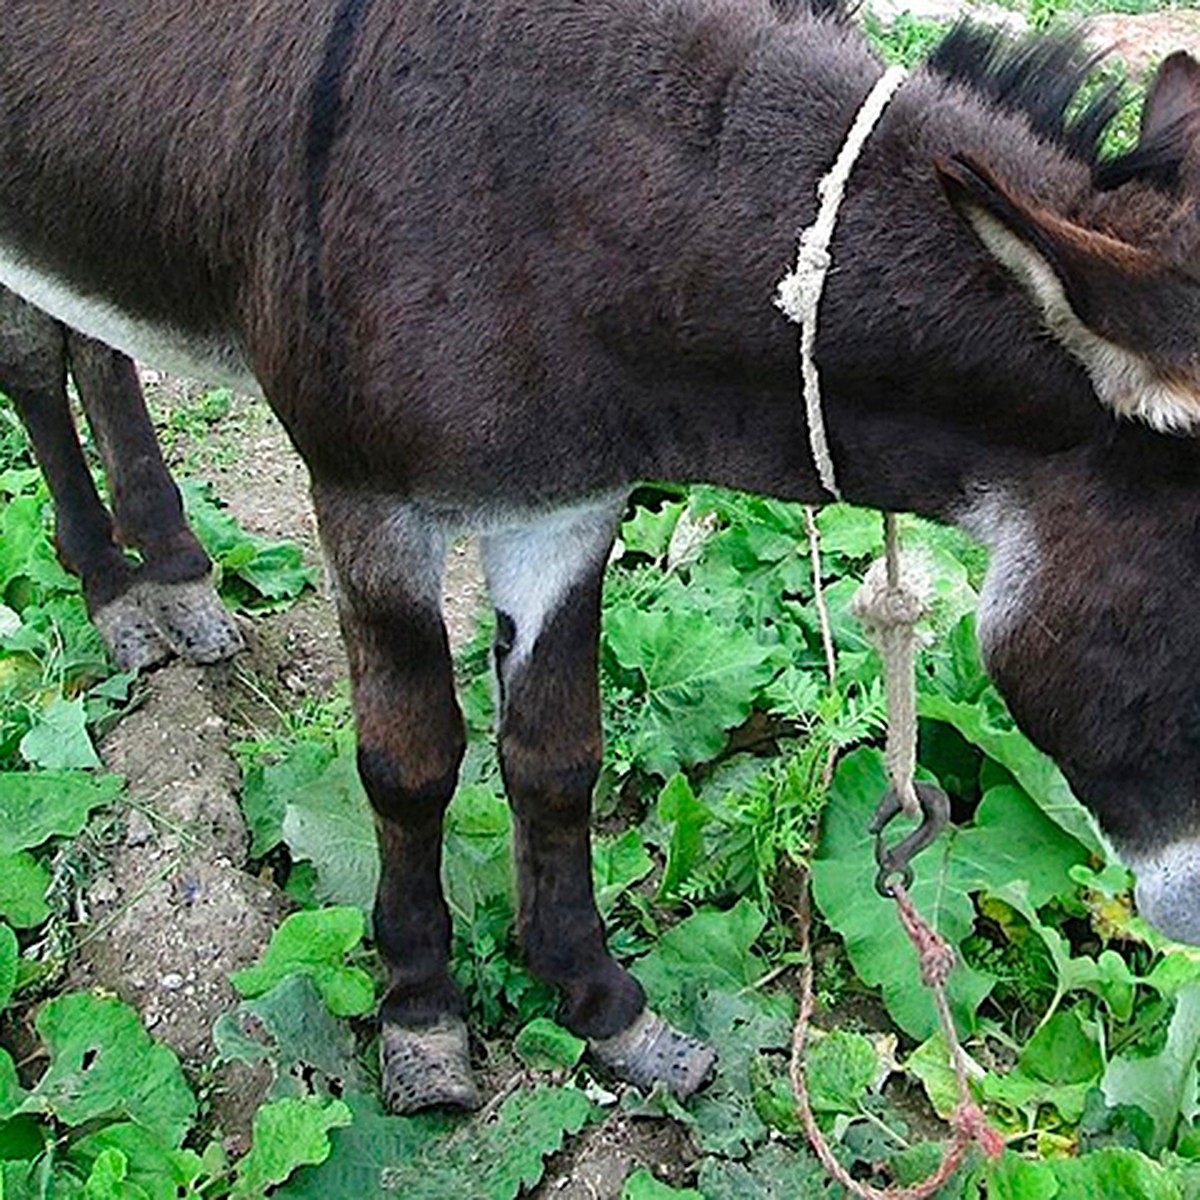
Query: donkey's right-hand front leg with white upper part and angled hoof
(545, 580)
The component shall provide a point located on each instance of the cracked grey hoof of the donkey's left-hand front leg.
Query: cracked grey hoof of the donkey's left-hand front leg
(427, 1069)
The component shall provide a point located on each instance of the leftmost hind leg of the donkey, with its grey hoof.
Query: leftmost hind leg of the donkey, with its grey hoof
(33, 375)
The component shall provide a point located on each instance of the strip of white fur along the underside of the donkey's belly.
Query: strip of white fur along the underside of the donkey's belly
(172, 350)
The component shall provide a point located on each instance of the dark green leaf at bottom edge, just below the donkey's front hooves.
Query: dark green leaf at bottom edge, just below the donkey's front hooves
(434, 1157)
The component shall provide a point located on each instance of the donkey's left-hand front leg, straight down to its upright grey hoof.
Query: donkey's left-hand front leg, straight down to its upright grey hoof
(387, 561)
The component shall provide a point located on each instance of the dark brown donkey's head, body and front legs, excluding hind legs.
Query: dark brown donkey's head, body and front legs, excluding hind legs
(494, 261)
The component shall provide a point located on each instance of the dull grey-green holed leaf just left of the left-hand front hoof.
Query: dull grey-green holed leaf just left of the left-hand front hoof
(291, 1029)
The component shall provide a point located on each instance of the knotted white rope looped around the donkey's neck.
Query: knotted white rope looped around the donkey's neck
(800, 292)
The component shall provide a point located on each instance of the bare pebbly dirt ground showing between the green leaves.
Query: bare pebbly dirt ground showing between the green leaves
(176, 910)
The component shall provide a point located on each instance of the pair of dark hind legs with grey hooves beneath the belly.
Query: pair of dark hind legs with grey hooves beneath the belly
(166, 604)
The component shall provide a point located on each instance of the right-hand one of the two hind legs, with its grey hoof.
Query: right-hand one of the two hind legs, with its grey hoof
(175, 583)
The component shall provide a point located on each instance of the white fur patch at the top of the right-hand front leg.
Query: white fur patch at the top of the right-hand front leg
(532, 567)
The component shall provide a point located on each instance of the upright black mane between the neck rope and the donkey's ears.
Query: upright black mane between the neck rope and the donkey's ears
(1046, 79)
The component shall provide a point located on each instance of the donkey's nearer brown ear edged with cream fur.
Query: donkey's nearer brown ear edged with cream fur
(1131, 319)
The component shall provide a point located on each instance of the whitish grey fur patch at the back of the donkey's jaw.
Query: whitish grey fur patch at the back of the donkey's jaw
(999, 520)
